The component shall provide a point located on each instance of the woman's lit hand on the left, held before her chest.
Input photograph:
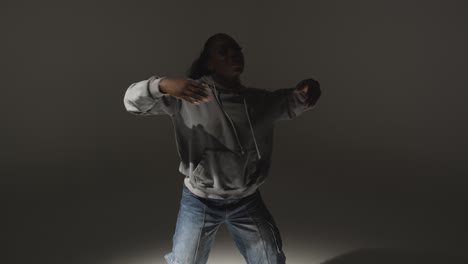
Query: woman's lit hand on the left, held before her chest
(187, 89)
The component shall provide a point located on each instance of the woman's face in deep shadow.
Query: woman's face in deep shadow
(226, 58)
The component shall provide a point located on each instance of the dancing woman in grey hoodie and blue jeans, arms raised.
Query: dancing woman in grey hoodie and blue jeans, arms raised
(224, 133)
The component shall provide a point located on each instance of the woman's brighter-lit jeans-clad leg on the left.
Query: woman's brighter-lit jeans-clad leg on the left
(195, 232)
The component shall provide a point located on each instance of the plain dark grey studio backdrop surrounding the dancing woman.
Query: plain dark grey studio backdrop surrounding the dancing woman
(381, 162)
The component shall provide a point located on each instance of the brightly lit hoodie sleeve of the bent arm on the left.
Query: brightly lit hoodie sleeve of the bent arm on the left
(139, 101)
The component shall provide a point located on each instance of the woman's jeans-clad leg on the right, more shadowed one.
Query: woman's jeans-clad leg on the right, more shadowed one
(254, 231)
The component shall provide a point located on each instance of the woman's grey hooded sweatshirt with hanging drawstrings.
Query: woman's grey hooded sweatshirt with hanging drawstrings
(215, 163)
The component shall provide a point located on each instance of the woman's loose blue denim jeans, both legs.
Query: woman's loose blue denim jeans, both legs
(248, 221)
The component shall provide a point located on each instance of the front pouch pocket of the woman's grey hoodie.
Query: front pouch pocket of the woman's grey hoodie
(224, 169)
